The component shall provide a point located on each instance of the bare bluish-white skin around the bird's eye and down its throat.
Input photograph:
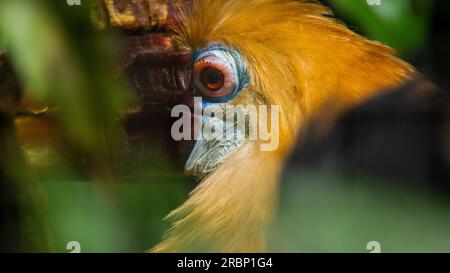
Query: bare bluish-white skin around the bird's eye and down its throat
(219, 75)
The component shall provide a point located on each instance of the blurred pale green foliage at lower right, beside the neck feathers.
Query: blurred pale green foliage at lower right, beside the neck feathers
(328, 210)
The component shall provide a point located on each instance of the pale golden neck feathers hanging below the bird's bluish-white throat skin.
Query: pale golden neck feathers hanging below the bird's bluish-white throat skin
(230, 209)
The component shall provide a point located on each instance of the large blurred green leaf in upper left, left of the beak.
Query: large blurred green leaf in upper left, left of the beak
(73, 75)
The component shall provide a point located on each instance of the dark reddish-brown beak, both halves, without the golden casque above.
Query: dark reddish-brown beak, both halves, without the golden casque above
(160, 77)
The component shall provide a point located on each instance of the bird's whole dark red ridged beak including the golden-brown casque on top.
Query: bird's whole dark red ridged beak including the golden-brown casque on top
(158, 74)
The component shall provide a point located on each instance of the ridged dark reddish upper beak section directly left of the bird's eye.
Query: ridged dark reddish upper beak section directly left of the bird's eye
(160, 75)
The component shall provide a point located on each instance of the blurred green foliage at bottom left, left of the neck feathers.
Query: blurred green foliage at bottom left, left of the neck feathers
(131, 222)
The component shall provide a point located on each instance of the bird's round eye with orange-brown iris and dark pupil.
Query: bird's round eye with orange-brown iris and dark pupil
(214, 78)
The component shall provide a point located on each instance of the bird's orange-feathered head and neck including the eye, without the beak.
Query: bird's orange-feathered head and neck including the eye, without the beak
(289, 53)
